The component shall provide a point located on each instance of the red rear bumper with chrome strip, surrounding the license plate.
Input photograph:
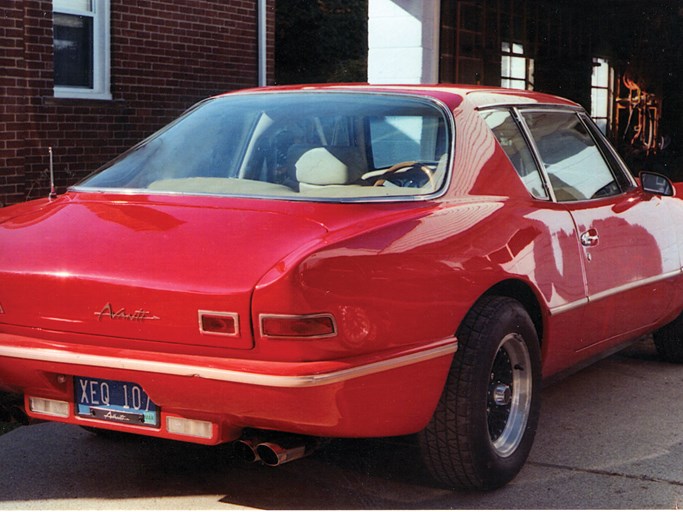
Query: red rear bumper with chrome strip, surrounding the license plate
(392, 393)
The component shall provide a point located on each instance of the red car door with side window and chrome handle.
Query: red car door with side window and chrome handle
(630, 253)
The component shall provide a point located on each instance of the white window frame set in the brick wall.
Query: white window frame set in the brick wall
(101, 51)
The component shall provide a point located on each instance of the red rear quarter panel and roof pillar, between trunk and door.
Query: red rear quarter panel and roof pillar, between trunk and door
(412, 278)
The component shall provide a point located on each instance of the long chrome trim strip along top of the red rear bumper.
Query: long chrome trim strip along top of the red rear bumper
(242, 377)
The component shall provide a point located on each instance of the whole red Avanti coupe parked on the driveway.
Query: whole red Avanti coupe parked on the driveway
(340, 261)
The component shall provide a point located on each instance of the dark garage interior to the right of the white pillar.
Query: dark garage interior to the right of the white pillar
(566, 48)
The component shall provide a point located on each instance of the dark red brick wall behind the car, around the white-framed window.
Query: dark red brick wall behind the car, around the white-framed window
(165, 56)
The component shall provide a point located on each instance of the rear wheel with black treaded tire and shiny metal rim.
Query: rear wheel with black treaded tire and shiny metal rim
(484, 425)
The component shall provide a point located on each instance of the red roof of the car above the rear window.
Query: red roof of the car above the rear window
(451, 94)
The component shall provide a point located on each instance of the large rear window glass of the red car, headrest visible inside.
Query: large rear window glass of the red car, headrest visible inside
(291, 145)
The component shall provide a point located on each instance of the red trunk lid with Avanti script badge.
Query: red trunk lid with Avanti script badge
(142, 269)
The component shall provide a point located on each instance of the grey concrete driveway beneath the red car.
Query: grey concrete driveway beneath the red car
(610, 436)
